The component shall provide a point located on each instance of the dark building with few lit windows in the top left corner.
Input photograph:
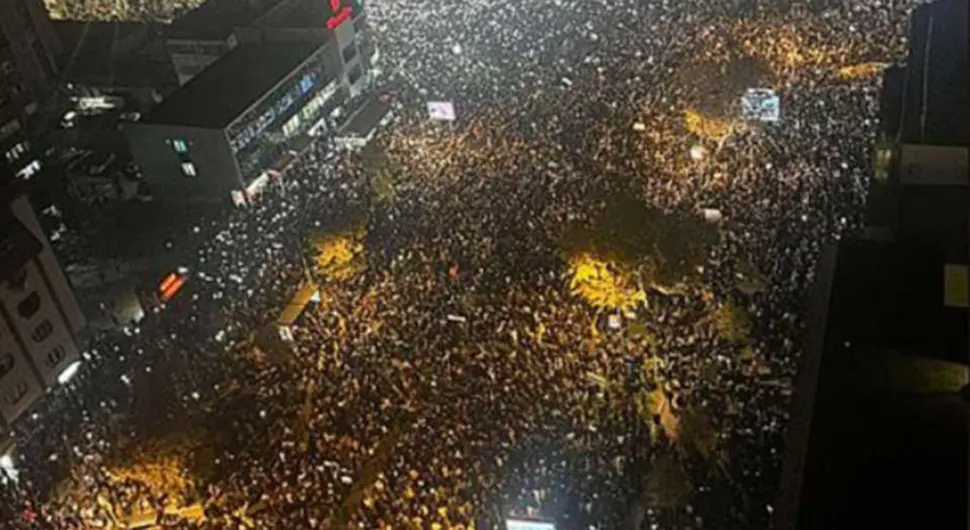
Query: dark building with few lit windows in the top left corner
(28, 48)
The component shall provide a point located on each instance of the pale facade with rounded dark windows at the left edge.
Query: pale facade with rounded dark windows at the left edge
(40, 319)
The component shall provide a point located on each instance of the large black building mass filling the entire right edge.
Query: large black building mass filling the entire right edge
(878, 434)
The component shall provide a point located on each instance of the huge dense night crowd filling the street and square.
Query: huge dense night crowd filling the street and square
(457, 380)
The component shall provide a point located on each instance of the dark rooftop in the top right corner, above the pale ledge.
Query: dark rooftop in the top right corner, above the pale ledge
(936, 107)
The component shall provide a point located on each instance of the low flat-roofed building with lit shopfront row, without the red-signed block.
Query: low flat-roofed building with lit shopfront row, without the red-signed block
(220, 134)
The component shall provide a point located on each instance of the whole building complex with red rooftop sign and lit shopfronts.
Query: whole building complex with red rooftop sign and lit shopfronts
(259, 81)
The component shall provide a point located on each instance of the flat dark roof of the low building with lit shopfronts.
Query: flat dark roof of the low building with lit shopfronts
(224, 90)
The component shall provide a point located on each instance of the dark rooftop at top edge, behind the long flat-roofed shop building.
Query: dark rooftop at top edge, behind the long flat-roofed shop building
(216, 19)
